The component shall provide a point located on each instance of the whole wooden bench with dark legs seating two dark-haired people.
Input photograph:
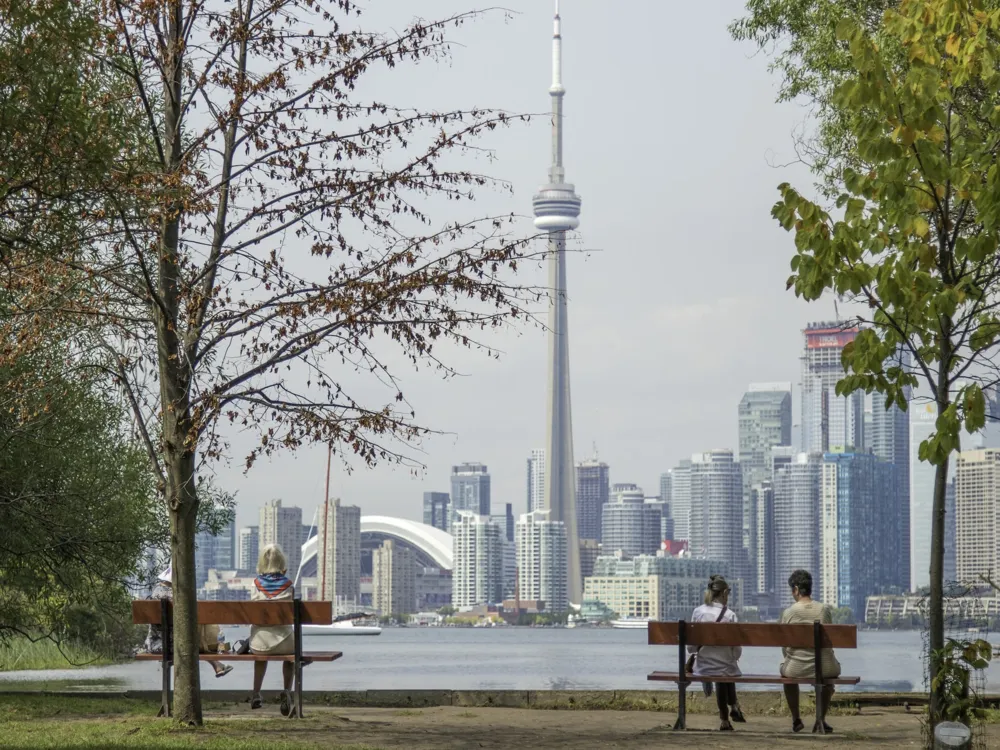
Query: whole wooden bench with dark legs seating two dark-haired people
(683, 634)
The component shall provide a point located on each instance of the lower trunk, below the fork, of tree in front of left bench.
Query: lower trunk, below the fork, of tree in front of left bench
(183, 504)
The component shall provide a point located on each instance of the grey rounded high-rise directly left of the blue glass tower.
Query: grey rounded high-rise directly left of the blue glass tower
(796, 521)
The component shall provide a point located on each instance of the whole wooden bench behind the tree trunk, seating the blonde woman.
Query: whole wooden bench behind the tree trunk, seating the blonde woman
(295, 613)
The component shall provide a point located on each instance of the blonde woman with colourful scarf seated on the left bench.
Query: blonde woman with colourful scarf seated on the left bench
(272, 584)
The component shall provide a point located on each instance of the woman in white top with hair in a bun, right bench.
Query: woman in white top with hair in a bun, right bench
(721, 661)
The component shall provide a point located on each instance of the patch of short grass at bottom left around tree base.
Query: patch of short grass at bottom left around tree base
(70, 723)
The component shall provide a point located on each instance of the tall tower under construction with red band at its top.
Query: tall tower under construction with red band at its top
(828, 421)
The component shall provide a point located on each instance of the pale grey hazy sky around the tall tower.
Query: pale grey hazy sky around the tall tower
(672, 141)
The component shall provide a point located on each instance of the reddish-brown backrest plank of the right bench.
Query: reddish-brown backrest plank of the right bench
(772, 635)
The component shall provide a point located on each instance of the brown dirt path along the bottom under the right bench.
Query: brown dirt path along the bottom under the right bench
(462, 729)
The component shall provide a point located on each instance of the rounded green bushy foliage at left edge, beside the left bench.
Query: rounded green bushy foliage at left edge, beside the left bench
(76, 508)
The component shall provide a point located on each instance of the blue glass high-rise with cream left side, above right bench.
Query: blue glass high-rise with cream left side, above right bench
(859, 517)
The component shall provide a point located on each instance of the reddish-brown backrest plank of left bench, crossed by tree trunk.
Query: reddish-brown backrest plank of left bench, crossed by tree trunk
(148, 612)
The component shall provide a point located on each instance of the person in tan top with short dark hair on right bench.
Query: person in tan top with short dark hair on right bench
(800, 663)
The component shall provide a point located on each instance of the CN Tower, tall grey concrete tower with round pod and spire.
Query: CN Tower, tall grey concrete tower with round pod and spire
(557, 211)
